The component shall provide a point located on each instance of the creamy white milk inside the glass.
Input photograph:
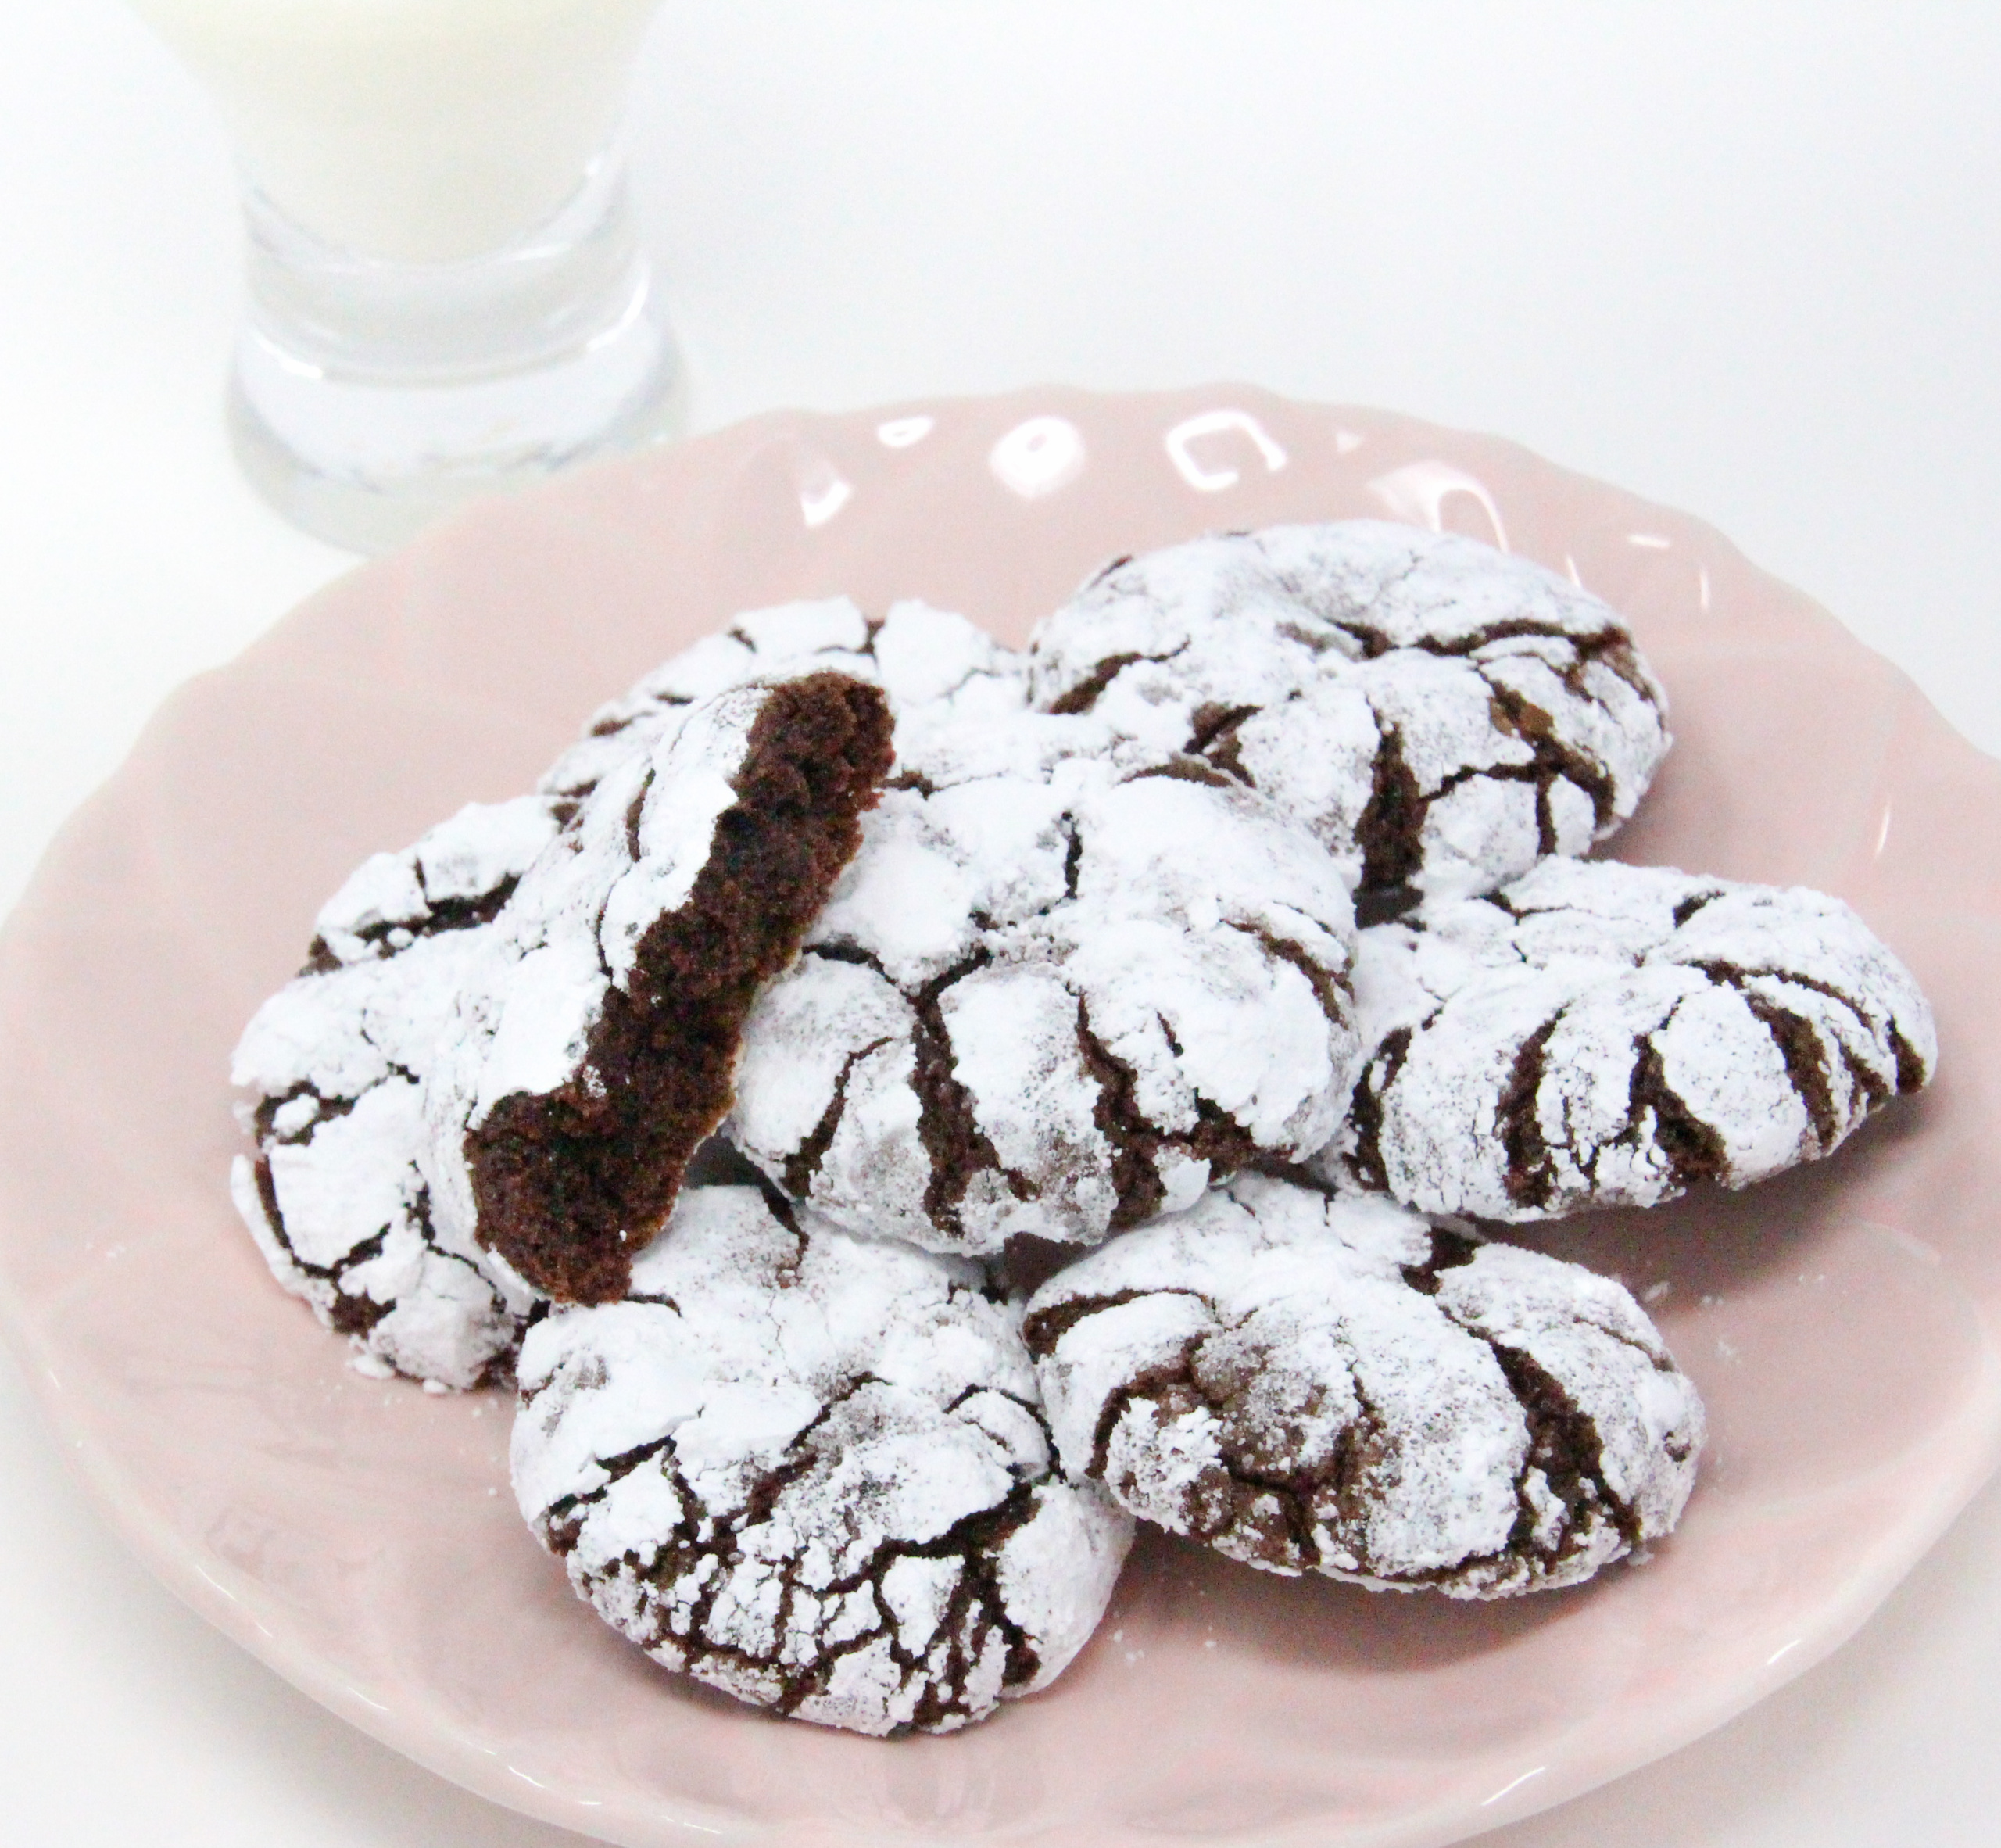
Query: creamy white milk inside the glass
(415, 131)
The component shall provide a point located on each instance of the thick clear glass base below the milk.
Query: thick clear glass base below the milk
(369, 397)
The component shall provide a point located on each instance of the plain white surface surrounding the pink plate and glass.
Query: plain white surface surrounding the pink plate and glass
(1744, 259)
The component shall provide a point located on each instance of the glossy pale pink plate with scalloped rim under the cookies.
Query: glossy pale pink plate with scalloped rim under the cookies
(359, 1535)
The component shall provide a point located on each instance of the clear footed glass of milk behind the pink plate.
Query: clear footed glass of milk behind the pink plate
(447, 293)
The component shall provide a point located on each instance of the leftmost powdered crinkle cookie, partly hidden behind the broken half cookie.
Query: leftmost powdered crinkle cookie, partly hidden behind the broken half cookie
(335, 1066)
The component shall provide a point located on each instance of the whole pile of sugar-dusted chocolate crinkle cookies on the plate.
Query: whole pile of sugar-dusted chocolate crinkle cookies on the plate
(901, 1108)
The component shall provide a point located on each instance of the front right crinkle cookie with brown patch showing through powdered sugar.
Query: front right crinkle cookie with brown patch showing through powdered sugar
(1318, 1384)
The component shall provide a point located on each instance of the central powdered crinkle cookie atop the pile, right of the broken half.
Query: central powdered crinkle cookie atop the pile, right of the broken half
(1060, 990)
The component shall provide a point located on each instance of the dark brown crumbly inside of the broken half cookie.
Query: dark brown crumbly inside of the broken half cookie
(573, 1184)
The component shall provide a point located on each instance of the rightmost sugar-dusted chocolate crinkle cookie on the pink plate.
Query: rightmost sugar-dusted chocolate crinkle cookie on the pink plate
(1600, 1034)
